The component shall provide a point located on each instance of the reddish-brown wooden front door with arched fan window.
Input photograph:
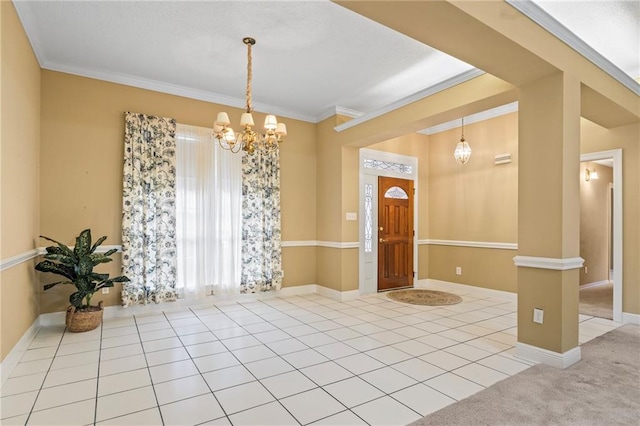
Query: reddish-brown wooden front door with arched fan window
(395, 233)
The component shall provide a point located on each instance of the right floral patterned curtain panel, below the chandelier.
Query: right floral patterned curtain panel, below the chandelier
(261, 252)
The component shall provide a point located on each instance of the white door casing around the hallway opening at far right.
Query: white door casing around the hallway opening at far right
(616, 155)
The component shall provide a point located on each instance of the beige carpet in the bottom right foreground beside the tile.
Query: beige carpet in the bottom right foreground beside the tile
(602, 389)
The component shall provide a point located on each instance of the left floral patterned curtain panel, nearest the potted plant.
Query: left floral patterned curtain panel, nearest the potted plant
(149, 209)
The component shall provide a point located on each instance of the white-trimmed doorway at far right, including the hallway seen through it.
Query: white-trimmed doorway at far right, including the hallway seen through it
(601, 234)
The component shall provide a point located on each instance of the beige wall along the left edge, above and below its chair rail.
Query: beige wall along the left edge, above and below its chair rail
(20, 138)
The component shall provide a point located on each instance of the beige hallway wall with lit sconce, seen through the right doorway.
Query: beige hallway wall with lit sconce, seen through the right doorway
(594, 223)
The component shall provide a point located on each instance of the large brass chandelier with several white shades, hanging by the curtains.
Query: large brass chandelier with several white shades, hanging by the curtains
(247, 139)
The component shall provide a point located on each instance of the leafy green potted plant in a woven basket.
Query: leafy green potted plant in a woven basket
(76, 266)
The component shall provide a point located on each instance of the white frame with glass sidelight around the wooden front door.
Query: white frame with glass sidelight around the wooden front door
(368, 260)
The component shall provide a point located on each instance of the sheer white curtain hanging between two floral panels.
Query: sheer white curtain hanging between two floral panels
(208, 214)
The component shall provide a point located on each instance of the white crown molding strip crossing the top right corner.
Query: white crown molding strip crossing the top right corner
(546, 21)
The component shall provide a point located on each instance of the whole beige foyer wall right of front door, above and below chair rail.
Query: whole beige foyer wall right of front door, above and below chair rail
(475, 202)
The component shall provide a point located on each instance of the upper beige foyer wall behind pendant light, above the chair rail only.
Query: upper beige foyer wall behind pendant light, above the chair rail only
(477, 201)
